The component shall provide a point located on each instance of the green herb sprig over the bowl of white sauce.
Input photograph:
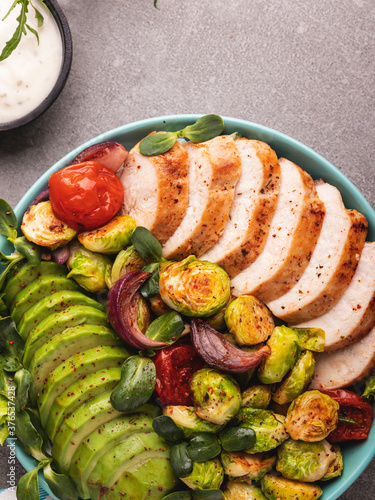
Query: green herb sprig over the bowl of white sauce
(22, 26)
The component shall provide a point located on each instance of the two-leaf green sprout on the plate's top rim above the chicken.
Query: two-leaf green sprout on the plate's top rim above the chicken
(205, 128)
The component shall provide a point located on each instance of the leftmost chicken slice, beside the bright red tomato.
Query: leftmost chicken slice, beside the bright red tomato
(156, 190)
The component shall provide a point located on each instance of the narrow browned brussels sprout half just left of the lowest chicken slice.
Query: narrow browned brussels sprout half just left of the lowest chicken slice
(297, 381)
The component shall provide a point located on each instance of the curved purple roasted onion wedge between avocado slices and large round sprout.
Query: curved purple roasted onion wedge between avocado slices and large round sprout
(122, 310)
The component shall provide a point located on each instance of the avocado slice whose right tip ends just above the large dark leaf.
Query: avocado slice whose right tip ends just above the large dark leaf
(77, 367)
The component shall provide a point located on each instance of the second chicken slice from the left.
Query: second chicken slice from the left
(214, 169)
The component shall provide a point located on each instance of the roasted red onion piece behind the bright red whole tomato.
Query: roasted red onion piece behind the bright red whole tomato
(109, 154)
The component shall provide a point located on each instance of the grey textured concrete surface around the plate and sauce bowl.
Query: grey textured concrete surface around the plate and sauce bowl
(304, 68)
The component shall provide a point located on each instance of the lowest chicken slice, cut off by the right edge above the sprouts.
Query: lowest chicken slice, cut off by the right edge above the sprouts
(345, 367)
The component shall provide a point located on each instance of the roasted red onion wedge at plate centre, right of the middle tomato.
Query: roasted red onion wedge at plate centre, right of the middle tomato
(218, 352)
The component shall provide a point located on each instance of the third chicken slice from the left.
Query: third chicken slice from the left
(252, 209)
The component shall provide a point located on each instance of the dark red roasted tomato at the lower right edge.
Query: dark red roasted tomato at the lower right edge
(353, 408)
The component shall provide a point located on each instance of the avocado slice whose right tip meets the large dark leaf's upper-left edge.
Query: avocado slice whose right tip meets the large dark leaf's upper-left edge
(78, 393)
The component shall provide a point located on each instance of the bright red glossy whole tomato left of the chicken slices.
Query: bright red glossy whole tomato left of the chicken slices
(85, 195)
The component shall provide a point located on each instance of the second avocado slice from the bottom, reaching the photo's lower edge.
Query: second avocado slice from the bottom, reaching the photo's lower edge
(125, 456)
